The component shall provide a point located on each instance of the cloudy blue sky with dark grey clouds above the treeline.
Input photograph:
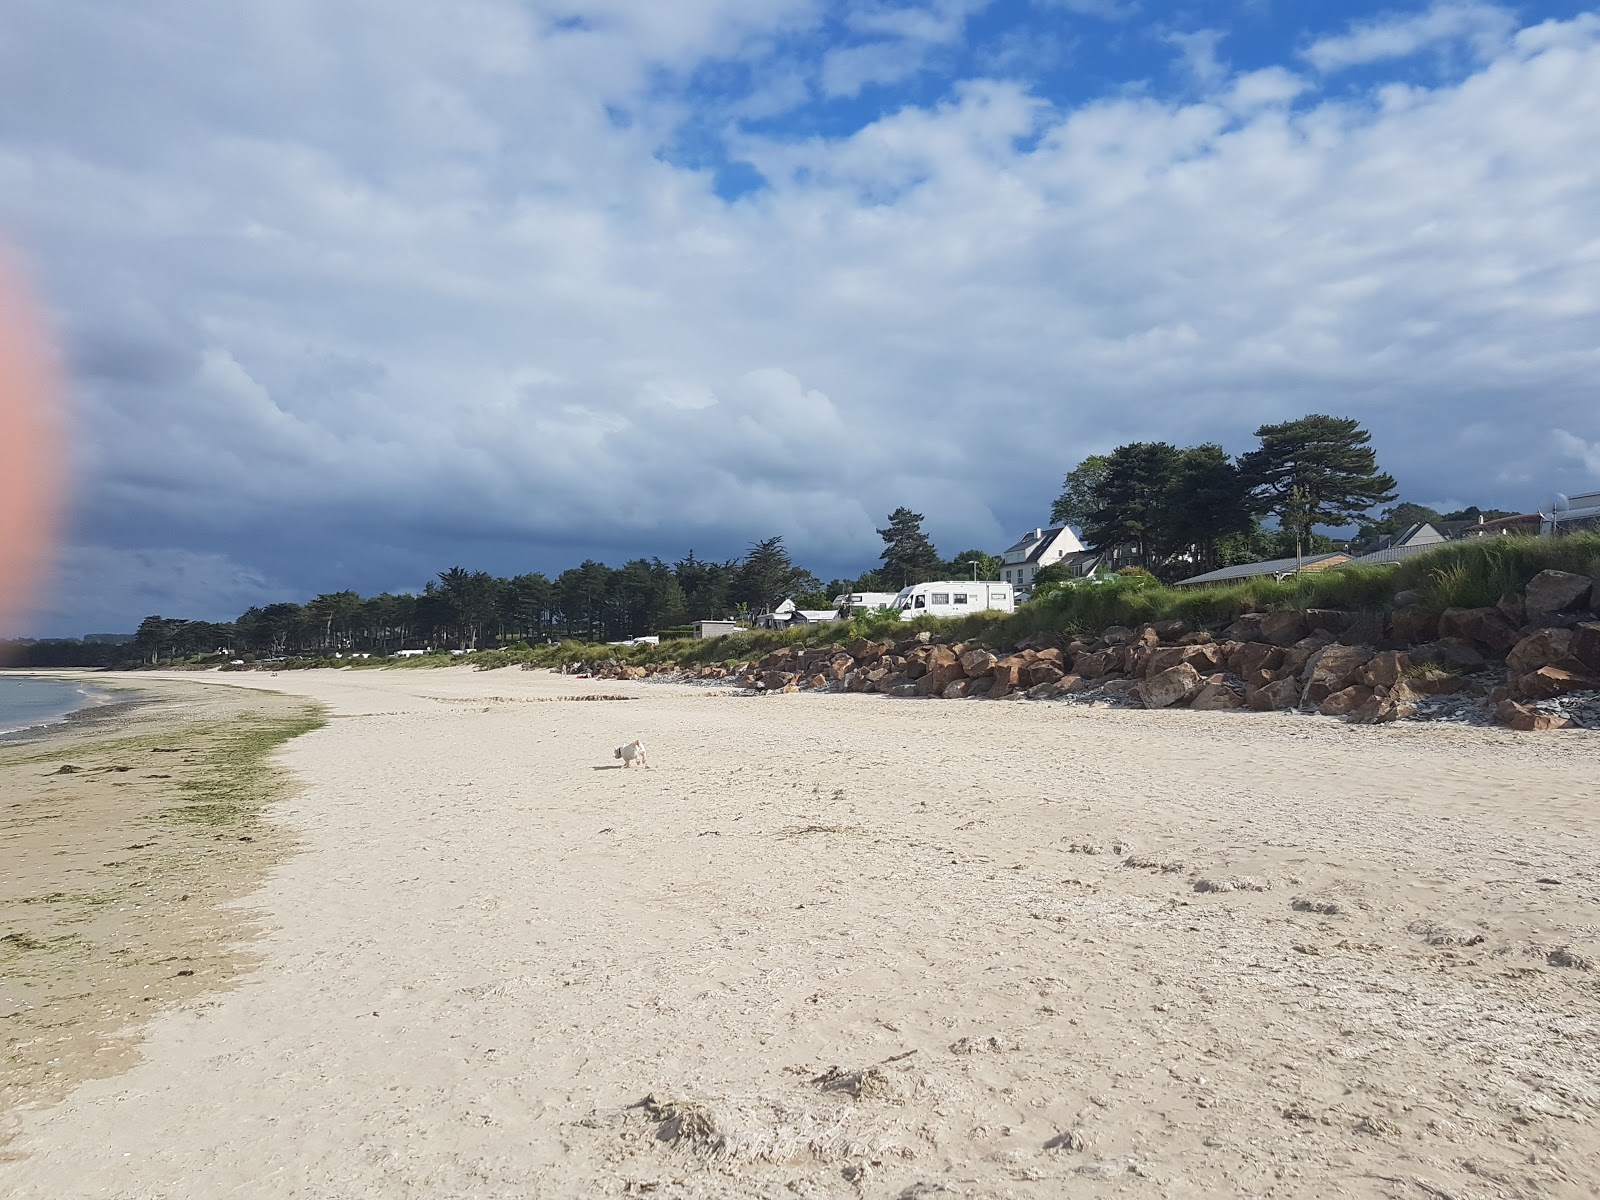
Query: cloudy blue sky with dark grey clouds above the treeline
(353, 292)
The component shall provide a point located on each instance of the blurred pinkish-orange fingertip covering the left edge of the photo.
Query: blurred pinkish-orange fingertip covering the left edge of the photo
(30, 449)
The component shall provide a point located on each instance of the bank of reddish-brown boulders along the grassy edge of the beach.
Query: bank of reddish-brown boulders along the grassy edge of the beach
(1530, 663)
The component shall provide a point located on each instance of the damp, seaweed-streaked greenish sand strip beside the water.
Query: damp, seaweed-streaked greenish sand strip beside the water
(122, 894)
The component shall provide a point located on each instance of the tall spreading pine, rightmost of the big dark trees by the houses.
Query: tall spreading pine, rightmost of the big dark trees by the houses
(1314, 471)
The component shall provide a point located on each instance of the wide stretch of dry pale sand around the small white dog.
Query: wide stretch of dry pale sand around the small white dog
(838, 946)
